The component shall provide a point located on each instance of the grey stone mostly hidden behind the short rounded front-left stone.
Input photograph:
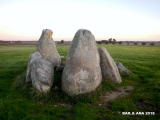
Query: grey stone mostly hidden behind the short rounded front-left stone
(32, 58)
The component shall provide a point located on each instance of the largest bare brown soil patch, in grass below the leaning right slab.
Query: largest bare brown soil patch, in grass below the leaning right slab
(112, 95)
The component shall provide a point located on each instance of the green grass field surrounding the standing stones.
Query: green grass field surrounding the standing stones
(18, 101)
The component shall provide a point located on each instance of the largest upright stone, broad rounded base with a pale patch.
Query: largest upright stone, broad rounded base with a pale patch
(82, 72)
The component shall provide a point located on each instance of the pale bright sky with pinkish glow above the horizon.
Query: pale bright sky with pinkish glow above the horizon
(124, 20)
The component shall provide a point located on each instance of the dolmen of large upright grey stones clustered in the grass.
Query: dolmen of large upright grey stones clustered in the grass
(84, 70)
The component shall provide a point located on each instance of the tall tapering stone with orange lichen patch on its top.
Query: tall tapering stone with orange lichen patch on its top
(47, 48)
